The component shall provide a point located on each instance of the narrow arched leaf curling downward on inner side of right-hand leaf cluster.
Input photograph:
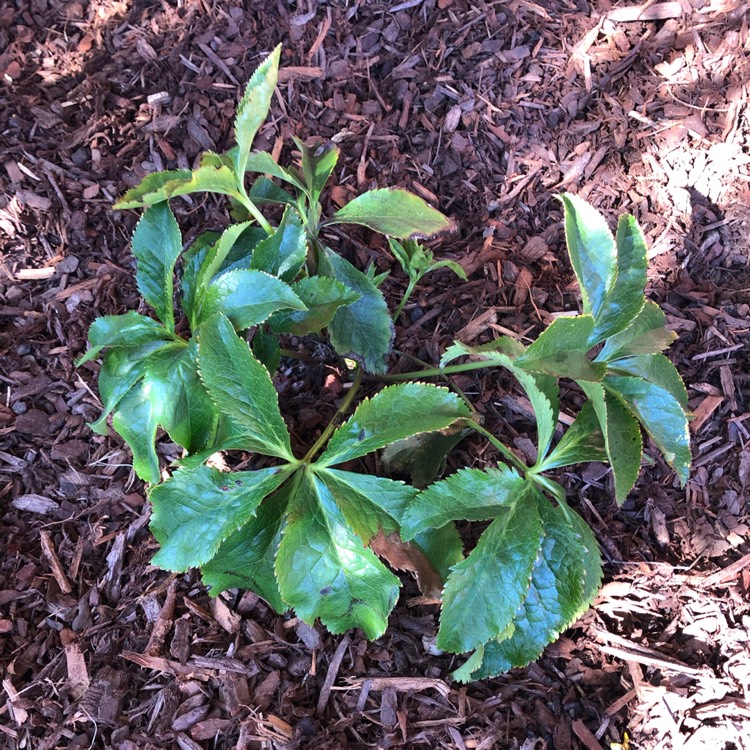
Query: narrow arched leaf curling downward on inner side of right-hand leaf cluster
(542, 389)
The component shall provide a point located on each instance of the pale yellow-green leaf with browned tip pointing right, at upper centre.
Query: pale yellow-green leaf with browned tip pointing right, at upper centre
(394, 212)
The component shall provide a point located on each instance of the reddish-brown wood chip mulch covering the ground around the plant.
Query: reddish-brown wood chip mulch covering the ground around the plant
(487, 109)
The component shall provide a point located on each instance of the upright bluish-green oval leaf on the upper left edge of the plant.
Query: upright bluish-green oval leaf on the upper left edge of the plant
(157, 244)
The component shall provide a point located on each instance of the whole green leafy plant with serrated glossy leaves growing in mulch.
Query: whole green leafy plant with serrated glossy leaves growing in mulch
(309, 533)
